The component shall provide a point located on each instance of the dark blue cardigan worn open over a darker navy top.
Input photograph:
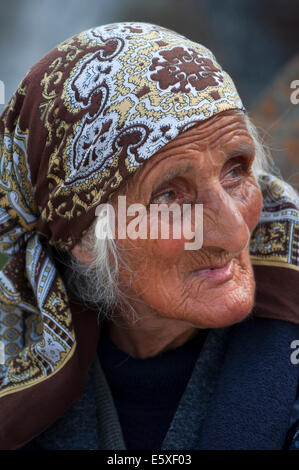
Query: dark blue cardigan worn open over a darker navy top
(241, 395)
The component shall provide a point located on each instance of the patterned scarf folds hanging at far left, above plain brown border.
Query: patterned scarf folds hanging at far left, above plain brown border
(35, 321)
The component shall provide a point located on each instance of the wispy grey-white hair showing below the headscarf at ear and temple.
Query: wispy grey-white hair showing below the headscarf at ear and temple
(98, 284)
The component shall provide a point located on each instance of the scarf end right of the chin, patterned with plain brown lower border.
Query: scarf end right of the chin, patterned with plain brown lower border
(274, 251)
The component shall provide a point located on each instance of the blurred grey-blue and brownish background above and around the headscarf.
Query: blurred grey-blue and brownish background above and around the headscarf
(256, 41)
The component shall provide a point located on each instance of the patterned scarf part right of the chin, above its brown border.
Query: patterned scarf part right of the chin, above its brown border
(275, 240)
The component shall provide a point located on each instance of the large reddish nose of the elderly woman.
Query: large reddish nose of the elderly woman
(223, 223)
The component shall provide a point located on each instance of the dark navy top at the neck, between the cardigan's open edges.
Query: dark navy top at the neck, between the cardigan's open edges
(146, 392)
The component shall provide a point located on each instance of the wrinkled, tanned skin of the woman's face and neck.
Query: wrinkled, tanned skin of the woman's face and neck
(170, 289)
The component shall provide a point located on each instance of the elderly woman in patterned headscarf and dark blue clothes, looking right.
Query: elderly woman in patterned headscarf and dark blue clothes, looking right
(139, 342)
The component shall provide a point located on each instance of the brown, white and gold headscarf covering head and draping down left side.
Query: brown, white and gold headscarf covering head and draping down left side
(84, 118)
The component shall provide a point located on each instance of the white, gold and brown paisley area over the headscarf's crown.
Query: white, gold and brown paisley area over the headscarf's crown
(123, 112)
